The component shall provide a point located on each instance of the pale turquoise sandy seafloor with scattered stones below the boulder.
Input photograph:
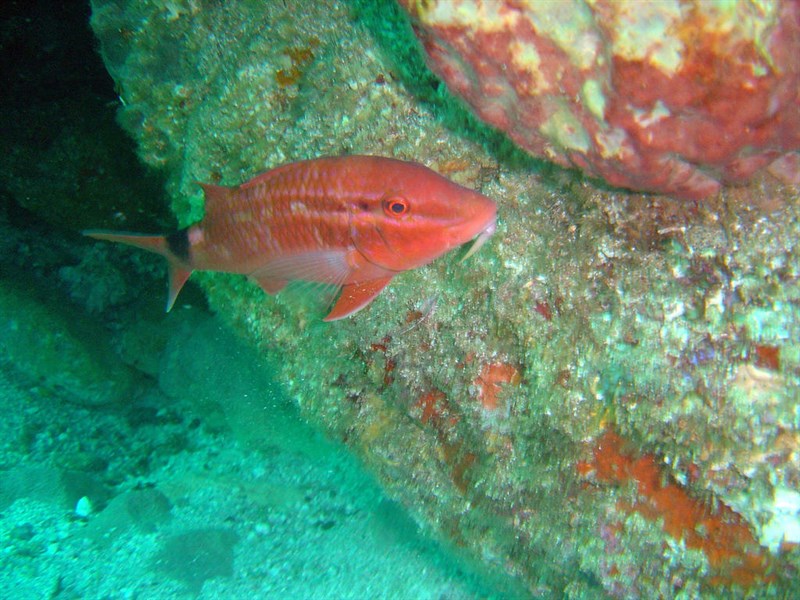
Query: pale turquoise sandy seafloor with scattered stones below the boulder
(195, 513)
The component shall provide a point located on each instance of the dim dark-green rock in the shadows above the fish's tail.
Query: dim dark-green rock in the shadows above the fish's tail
(78, 173)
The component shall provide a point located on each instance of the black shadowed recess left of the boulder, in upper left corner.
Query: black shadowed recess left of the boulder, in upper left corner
(61, 156)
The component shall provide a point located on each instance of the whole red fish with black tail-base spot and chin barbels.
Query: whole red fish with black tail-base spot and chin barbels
(353, 222)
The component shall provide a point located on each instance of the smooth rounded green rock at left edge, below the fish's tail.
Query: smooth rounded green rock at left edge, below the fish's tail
(55, 347)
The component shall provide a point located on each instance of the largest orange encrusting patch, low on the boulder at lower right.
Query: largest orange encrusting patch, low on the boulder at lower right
(732, 552)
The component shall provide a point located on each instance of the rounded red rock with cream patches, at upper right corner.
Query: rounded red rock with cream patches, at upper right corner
(672, 97)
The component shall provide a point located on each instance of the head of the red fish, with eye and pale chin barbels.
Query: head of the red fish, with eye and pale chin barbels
(418, 216)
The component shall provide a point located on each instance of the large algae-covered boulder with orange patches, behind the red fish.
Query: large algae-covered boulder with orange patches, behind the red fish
(603, 399)
